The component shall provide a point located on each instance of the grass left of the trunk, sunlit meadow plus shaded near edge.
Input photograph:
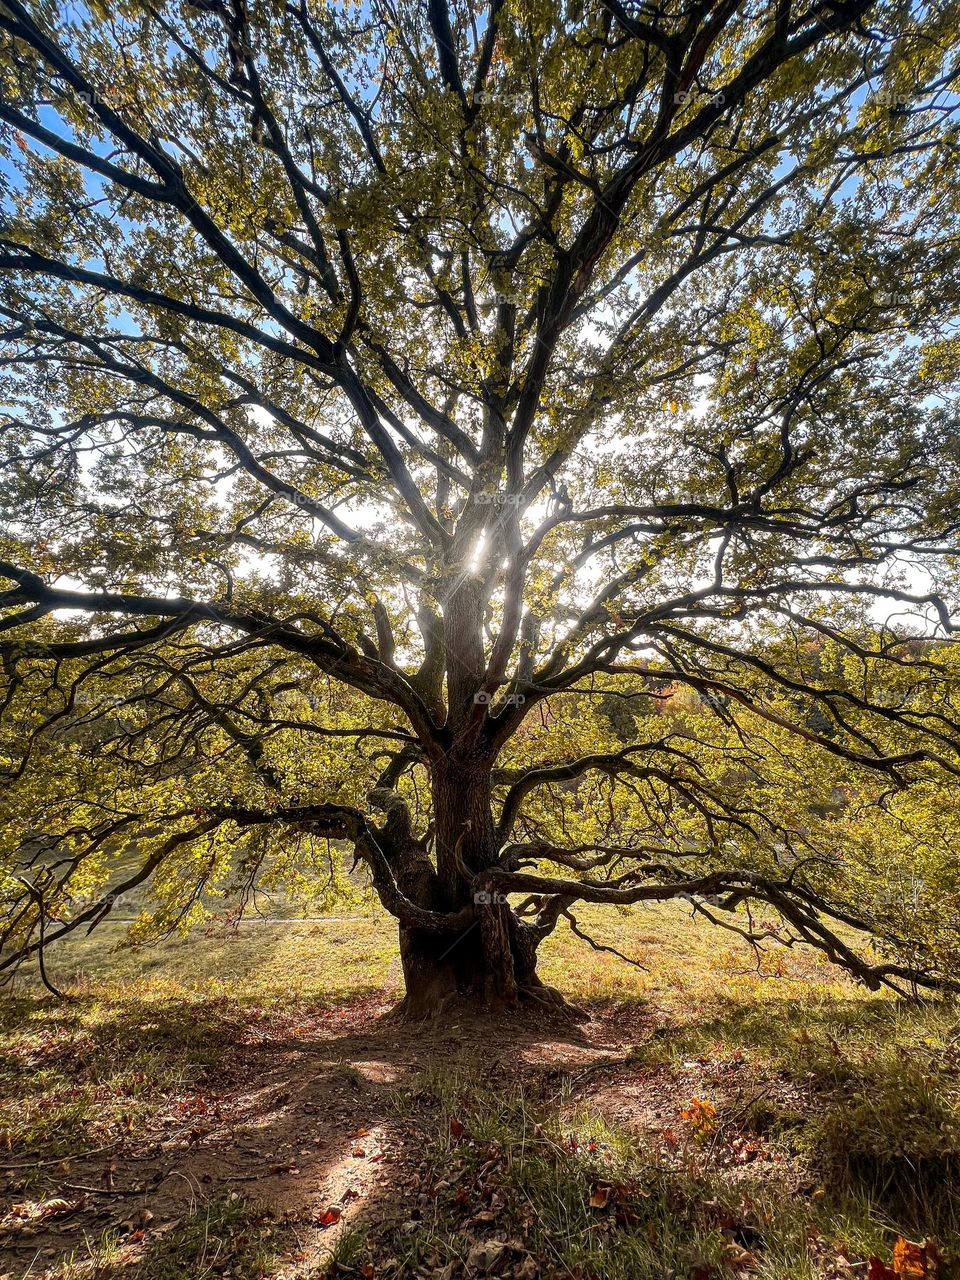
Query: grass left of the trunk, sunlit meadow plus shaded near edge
(148, 1025)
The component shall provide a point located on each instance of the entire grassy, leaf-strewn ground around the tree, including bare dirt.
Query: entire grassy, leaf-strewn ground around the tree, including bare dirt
(715, 1118)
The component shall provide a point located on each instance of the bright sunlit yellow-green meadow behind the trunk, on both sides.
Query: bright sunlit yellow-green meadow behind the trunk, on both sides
(684, 959)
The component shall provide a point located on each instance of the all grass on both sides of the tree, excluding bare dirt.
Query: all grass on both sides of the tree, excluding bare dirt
(860, 1095)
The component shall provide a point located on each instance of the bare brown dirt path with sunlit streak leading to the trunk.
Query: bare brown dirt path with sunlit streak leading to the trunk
(308, 1119)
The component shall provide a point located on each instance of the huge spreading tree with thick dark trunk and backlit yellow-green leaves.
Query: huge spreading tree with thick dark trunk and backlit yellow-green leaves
(516, 369)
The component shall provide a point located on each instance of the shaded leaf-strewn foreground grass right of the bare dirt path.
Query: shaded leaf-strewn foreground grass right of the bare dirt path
(588, 1200)
